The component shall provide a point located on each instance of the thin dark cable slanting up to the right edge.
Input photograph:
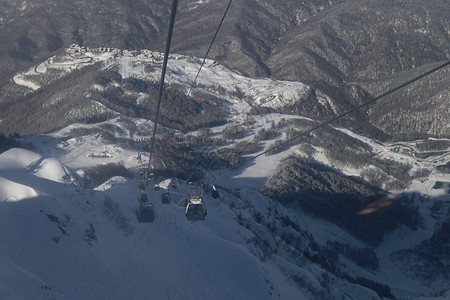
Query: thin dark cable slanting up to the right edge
(441, 66)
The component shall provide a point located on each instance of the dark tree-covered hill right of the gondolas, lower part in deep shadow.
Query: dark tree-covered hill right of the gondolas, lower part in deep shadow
(344, 200)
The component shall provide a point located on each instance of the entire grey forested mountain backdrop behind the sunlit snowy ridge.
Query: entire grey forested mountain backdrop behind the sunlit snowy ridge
(349, 50)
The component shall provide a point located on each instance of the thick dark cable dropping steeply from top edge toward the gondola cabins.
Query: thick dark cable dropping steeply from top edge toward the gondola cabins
(163, 75)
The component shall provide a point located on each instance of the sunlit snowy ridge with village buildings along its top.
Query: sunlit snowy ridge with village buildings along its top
(181, 69)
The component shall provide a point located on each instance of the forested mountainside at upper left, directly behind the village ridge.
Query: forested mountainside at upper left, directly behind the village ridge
(34, 30)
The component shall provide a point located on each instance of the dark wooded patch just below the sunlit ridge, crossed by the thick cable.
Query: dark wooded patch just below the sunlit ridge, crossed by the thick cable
(138, 98)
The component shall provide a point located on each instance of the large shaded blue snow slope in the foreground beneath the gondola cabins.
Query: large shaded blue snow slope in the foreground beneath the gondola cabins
(67, 242)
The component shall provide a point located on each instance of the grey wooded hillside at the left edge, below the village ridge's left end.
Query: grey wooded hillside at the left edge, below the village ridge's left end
(60, 103)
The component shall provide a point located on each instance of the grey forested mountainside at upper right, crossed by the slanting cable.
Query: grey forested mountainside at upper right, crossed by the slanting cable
(360, 49)
